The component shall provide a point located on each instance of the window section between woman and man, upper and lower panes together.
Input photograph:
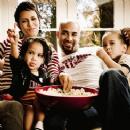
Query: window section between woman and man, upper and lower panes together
(47, 11)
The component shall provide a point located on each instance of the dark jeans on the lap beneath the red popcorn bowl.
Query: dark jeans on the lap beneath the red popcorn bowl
(72, 120)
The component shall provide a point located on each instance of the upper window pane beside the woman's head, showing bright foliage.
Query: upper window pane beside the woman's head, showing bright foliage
(47, 11)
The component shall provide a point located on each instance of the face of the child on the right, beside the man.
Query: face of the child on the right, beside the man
(113, 45)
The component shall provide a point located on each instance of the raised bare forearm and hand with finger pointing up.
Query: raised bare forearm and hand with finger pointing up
(13, 39)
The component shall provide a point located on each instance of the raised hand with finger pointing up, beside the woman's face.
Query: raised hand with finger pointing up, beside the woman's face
(12, 35)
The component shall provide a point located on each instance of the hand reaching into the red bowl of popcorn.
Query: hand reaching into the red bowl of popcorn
(66, 81)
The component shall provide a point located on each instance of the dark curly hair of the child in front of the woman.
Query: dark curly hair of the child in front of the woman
(46, 48)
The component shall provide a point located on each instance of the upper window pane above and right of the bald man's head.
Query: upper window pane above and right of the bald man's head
(95, 13)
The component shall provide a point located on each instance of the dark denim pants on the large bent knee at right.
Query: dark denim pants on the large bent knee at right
(113, 102)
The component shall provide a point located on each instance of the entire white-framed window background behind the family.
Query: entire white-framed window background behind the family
(95, 16)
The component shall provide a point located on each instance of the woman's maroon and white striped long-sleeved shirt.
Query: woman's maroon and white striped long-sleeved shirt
(6, 77)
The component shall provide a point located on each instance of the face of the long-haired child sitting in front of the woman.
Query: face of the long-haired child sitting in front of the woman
(34, 56)
